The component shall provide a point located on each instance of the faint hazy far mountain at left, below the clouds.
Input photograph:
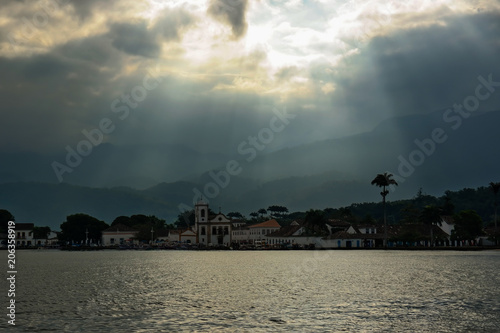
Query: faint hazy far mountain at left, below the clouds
(136, 166)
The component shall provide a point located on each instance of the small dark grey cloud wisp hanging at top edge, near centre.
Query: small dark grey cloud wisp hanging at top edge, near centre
(231, 12)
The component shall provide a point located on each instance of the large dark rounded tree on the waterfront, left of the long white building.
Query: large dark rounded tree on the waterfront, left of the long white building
(76, 226)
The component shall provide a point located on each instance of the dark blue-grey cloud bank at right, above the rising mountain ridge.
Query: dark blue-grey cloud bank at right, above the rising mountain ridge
(418, 70)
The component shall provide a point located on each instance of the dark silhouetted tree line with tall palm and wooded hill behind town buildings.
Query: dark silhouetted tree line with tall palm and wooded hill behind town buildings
(471, 209)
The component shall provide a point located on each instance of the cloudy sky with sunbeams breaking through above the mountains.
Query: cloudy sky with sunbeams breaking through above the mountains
(207, 74)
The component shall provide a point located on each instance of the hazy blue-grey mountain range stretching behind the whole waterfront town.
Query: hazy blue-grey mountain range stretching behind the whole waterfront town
(422, 151)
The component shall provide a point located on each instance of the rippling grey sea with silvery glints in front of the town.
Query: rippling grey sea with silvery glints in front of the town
(255, 291)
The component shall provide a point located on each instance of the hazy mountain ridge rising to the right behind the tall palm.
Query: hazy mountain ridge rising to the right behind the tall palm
(468, 156)
